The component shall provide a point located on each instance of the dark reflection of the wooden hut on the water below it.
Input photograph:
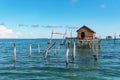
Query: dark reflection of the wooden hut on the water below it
(85, 58)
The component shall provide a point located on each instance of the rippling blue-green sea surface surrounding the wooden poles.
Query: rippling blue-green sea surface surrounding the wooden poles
(54, 67)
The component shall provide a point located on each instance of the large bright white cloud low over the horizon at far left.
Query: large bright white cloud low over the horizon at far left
(8, 33)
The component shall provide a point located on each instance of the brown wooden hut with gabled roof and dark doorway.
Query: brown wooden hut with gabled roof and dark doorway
(85, 33)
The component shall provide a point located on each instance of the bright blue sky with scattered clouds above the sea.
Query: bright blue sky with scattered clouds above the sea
(38, 18)
